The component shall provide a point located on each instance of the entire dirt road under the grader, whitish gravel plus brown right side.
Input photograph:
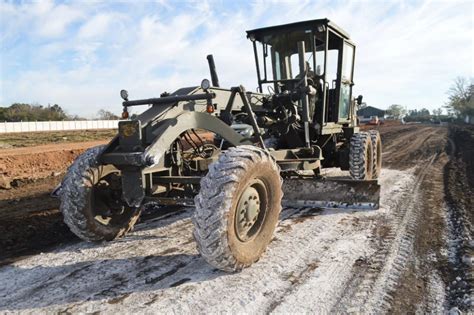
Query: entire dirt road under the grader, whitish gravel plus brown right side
(412, 255)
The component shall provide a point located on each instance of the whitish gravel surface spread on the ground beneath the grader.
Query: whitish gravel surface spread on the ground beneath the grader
(320, 261)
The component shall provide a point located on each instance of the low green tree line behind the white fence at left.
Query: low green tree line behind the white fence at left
(37, 112)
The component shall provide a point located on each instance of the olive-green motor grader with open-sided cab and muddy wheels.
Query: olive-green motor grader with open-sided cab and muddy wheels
(267, 148)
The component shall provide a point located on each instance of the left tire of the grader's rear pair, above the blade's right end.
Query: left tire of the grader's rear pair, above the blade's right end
(361, 156)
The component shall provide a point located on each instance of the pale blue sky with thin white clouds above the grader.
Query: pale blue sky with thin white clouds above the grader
(80, 54)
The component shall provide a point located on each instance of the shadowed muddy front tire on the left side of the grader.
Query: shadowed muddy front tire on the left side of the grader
(91, 208)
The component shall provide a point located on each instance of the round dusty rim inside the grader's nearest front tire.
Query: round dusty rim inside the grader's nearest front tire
(251, 211)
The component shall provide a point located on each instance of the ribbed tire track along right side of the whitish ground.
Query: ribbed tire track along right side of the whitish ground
(371, 290)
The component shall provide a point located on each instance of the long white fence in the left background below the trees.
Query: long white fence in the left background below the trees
(32, 126)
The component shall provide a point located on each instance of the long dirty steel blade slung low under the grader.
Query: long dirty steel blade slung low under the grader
(331, 193)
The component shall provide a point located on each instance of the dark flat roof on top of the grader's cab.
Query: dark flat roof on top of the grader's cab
(306, 25)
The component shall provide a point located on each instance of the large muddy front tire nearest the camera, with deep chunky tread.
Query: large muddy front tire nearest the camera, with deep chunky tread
(237, 208)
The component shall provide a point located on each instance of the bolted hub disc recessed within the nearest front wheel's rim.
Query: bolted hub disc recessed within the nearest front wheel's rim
(248, 210)
